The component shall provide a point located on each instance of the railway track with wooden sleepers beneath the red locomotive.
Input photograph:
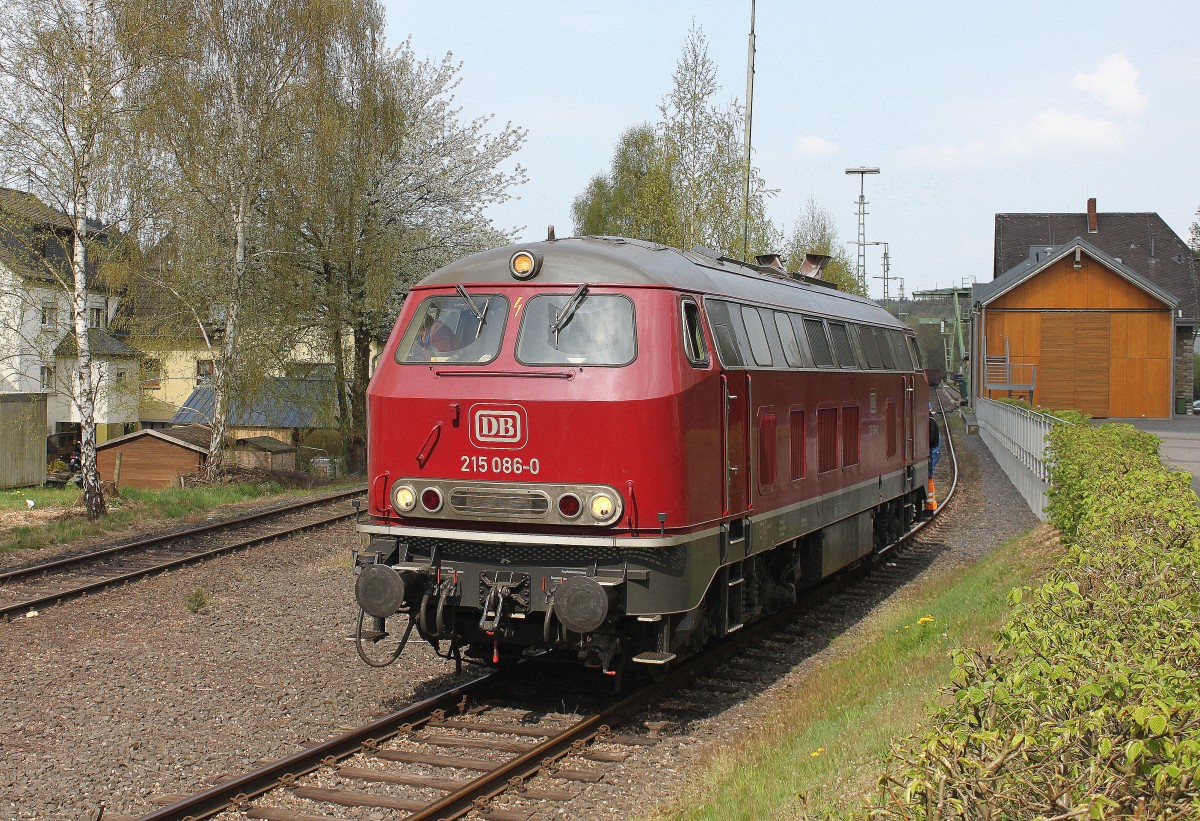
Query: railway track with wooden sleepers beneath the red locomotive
(471, 751)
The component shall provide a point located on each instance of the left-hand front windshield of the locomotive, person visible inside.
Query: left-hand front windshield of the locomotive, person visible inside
(455, 329)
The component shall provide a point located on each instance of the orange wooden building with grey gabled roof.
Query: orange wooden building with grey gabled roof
(1073, 327)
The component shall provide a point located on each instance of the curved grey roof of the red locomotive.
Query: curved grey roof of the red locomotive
(619, 261)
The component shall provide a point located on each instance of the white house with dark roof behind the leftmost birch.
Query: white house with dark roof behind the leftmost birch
(38, 345)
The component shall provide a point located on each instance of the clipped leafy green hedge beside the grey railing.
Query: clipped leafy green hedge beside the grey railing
(1090, 705)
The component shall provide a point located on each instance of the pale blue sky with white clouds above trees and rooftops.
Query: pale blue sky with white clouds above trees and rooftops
(968, 109)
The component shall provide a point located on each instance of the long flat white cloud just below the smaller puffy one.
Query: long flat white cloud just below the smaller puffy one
(1049, 131)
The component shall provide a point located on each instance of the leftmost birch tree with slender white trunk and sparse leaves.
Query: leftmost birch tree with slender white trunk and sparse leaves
(64, 77)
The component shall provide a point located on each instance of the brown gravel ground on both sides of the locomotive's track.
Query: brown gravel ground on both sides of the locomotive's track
(128, 696)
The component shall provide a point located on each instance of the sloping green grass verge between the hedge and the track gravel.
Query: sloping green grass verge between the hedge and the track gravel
(820, 754)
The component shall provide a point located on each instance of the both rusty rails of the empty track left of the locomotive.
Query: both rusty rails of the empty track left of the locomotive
(10, 610)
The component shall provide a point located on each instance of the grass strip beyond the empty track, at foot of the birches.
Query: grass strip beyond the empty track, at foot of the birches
(58, 516)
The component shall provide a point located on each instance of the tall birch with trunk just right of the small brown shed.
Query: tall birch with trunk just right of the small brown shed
(226, 116)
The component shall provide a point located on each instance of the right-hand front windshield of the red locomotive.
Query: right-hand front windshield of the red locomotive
(578, 329)
